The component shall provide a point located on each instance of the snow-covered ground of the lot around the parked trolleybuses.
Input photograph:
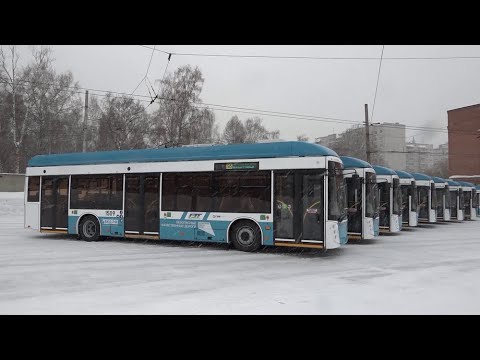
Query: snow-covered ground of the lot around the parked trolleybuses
(431, 270)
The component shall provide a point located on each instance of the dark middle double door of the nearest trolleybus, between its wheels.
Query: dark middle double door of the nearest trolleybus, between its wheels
(141, 204)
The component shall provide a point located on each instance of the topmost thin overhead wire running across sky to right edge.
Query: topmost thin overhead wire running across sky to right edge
(314, 57)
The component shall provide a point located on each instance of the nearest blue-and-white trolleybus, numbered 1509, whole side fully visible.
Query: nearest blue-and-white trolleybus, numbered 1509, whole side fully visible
(279, 194)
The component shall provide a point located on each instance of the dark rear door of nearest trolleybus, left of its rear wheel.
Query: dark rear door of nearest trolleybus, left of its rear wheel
(54, 203)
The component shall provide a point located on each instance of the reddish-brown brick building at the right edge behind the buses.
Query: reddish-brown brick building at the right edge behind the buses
(464, 141)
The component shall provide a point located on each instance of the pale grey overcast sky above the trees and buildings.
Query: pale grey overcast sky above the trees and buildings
(412, 92)
